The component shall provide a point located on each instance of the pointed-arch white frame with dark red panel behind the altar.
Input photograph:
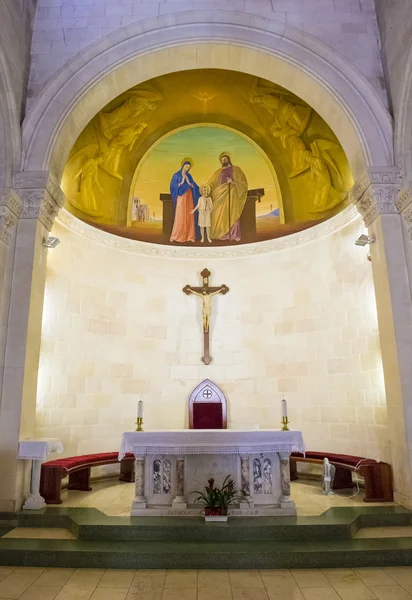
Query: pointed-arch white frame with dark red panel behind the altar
(207, 407)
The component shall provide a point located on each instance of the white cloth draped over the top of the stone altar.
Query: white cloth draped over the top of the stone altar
(210, 441)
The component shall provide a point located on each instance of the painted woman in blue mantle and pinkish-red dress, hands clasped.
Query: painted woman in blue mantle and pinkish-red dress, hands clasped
(185, 194)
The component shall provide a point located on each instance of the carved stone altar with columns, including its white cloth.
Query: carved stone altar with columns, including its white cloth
(171, 464)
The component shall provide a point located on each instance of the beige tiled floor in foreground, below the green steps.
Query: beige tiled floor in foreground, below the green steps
(393, 583)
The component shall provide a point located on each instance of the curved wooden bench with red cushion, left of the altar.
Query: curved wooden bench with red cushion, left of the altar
(78, 469)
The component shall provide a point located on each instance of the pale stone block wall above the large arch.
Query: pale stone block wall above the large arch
(64, 27)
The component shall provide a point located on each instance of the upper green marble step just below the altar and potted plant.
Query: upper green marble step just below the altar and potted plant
(337, 523)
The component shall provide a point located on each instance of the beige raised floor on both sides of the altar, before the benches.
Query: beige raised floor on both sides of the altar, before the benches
(115, 498)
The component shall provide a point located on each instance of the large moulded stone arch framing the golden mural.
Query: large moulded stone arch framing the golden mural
(187, 40)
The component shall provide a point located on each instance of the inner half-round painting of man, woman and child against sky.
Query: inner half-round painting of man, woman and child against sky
(217, 196)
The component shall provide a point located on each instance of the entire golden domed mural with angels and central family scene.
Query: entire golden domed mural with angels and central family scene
(206, 157)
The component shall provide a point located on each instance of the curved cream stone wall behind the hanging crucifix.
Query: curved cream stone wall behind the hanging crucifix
(299, 321)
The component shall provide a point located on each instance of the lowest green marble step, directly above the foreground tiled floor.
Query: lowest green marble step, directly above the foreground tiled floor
(189, 555)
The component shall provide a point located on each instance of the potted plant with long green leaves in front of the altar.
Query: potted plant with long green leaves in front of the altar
(217, 500)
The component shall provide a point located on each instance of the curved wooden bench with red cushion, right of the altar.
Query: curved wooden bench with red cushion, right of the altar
(377, 475)
